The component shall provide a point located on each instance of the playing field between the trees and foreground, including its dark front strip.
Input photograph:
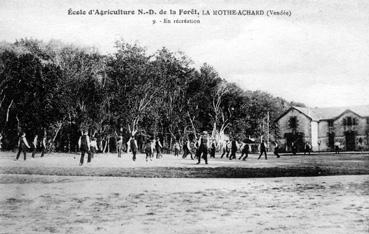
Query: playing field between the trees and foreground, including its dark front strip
(173, 167)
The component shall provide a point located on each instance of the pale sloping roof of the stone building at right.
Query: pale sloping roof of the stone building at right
(332, 112)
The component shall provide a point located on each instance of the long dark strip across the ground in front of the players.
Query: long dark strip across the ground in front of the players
(175, 172)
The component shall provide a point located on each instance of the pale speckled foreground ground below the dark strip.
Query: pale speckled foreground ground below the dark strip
(58, 204)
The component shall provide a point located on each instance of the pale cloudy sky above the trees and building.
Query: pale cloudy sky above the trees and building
(318, 56)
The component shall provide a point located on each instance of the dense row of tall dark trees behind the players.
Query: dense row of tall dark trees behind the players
(62, 89)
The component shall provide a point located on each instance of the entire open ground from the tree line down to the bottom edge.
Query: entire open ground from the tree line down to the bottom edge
(116, 195)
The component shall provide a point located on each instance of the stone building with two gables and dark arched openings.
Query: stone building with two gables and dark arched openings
(323, 127)
